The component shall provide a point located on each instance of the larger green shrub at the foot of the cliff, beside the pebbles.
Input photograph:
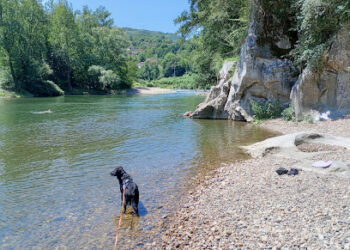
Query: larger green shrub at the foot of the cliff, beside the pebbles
(268, 110)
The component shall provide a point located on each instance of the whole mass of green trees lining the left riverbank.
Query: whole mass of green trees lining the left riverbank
(54, 43)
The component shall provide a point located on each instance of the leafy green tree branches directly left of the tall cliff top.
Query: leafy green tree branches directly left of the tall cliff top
(219, 28)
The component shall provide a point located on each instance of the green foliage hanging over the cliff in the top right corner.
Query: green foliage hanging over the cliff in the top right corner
(317, 22)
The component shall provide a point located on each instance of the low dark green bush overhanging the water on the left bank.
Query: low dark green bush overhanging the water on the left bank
(44, 88)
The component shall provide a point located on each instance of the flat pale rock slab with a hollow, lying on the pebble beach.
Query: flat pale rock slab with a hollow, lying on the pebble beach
(286, 147)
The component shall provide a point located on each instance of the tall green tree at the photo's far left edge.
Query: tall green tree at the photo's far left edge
(22, 38)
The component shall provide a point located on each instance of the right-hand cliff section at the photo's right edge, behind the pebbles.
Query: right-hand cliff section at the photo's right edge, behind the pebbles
(325, 93)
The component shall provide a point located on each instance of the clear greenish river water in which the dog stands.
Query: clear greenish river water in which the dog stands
(55, 188)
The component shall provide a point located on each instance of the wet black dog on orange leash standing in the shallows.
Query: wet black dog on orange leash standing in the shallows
(131, 189)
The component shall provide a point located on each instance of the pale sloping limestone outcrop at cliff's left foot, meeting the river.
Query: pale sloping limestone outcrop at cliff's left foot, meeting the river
(213, 106)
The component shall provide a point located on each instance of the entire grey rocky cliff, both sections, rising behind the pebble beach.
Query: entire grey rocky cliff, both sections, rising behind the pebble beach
(262, 74)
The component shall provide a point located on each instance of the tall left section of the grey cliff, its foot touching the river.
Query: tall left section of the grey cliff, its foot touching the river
(261, 75)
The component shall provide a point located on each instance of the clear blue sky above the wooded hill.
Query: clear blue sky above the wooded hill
(156, 15)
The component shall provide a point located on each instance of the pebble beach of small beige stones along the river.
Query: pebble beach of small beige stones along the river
(247, 205)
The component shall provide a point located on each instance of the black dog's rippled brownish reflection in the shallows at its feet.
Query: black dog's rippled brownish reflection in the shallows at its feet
(130, 222)
